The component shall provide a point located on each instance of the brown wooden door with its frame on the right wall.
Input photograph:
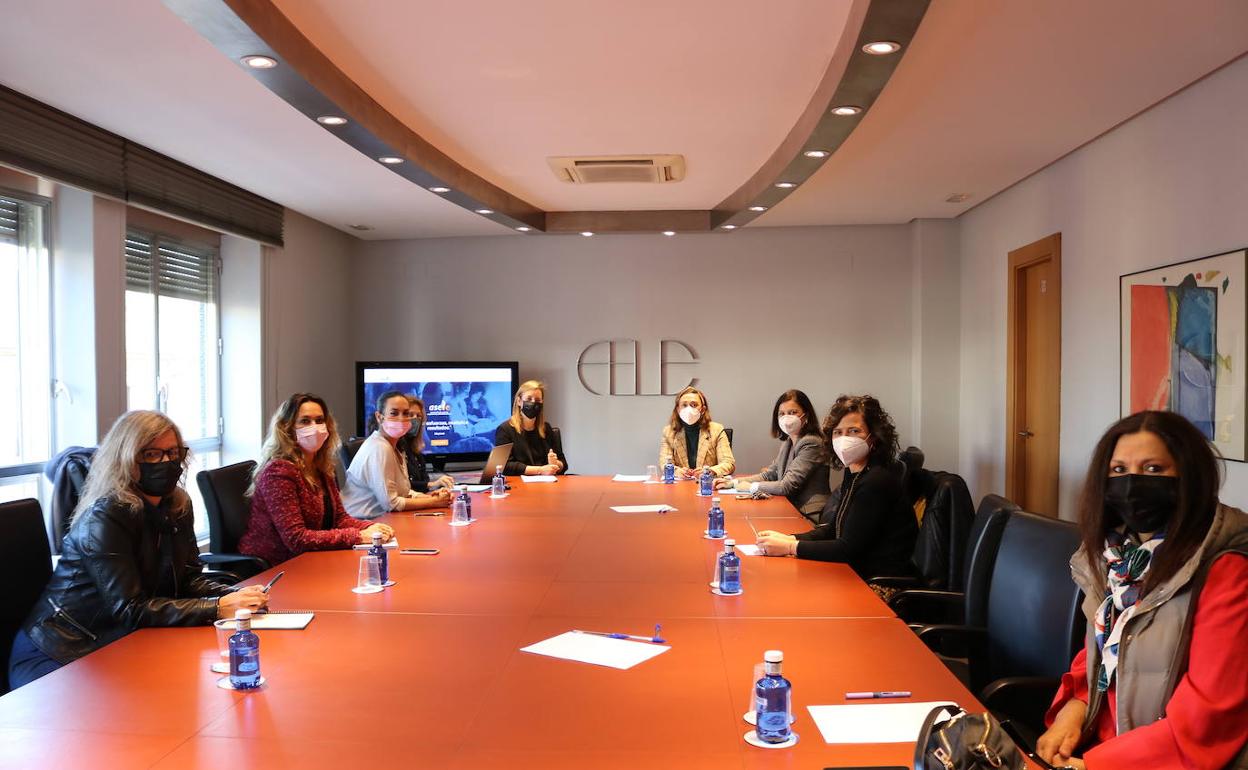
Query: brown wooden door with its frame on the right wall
(1034, 376)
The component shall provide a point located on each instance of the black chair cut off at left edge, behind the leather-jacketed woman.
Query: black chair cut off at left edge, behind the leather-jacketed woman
(26, 567)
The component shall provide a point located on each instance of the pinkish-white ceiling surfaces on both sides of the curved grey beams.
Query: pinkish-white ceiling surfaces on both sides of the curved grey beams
(988, 94)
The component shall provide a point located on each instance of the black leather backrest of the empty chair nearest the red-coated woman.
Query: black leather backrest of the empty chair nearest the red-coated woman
(1035, 621)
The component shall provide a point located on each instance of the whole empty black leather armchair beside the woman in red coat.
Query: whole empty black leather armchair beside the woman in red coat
(1035, 623)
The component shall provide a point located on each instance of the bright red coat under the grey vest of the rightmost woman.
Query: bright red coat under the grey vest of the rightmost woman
(1206, 719)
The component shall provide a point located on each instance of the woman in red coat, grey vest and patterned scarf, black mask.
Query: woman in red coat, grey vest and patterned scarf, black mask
(1161, 681)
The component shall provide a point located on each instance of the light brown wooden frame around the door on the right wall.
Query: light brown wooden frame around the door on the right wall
(1049, 249)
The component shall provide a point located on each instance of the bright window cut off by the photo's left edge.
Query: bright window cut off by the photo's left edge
(26, 349)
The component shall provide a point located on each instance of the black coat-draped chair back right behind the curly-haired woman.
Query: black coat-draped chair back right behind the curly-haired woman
(940, 547)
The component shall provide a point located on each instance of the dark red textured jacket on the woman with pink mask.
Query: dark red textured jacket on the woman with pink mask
(286, 516)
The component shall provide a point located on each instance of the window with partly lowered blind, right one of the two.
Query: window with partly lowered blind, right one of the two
(174, 344)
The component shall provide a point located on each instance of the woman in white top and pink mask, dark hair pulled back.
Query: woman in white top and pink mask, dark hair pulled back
(378, 479)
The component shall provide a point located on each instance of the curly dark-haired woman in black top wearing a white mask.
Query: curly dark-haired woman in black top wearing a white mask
(872, 529)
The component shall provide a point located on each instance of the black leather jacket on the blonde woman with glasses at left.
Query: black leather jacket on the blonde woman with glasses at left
(120, 571)
